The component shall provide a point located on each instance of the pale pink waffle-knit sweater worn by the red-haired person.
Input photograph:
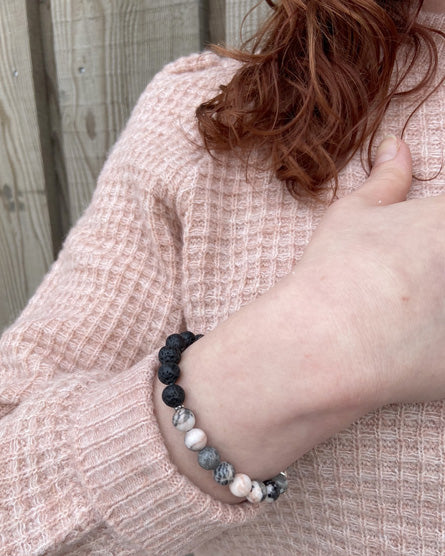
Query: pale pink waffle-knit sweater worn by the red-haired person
(171, 241)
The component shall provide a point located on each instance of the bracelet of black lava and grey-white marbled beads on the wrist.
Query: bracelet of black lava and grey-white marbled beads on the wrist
(196, 439)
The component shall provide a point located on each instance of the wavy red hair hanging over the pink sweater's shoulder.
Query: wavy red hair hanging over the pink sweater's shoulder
(315, 85)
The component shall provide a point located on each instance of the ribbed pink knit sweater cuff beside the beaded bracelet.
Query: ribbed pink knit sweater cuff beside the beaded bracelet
(138, 490)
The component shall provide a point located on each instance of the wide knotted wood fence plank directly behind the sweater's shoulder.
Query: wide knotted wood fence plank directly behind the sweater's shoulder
(105, 54)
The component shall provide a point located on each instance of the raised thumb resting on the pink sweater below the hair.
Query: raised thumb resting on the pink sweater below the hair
(390, 178)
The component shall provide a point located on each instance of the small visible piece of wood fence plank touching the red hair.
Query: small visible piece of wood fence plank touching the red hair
(235, 12)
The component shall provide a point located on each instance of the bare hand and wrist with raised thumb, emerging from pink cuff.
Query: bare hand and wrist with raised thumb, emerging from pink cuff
(357, 324)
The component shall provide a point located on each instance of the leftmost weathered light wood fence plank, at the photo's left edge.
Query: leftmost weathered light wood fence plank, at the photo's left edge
(26, 249)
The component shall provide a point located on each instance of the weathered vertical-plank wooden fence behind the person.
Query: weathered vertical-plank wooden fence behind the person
(71, 71)
